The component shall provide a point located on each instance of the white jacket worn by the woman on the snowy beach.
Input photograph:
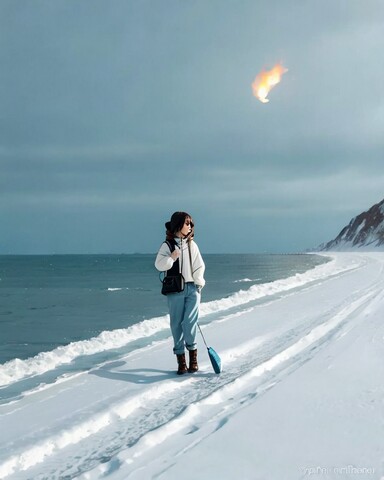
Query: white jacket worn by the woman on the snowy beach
(164, 261)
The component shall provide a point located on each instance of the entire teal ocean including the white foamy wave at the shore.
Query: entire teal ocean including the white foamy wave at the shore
(59, 314)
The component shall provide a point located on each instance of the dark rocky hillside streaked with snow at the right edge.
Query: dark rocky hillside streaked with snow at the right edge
(366, 230)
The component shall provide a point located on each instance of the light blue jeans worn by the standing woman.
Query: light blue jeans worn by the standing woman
(184, 313)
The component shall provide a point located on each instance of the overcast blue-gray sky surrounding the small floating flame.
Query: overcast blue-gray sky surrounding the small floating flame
(116, 113)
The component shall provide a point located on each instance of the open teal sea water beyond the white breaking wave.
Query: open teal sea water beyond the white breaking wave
(50, 301)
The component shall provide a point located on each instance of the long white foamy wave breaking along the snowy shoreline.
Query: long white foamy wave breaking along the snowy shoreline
(16, 369)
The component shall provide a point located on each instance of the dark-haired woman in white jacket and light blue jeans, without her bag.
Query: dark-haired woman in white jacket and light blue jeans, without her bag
(183, 306)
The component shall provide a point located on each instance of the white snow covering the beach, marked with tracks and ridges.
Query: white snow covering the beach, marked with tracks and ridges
(301, 394)
